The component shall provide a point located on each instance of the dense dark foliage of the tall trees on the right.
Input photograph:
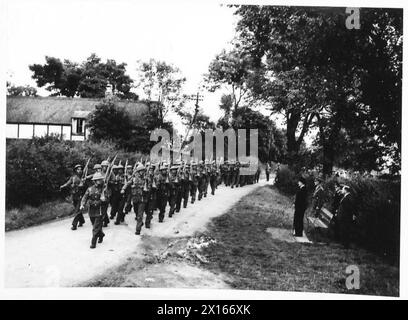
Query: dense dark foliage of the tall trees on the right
(314, 70)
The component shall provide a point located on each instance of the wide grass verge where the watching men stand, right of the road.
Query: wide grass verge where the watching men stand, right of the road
(252, 259)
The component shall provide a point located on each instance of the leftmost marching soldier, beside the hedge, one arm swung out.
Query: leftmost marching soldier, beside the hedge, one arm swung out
(76, 185)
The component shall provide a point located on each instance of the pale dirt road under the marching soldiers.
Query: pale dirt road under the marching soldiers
(52, 255)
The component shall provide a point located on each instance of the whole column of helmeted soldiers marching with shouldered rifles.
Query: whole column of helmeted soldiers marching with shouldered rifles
(146, 187)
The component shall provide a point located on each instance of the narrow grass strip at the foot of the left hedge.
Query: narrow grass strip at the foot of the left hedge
(28, 216)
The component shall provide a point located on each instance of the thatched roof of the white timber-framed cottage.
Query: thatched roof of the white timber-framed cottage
(60, 110)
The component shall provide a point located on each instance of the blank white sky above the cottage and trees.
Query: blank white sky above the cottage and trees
(187, 34)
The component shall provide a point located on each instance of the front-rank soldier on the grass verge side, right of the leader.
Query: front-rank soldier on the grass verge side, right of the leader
(138, 195)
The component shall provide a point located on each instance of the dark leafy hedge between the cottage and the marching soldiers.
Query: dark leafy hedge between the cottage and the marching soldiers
(36, 168)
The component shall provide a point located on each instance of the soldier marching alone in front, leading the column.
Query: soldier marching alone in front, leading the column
(93, 196)
